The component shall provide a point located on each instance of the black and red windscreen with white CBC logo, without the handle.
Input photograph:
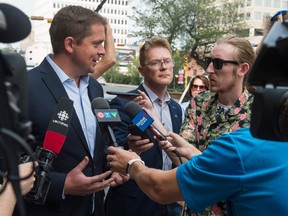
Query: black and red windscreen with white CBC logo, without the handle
(58, 126)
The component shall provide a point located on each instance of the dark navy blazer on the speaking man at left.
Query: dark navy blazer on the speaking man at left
(45, 89)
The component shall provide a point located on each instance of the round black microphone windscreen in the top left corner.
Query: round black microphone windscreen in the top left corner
(14, 24)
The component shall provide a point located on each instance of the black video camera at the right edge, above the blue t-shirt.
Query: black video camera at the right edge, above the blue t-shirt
(269, 74)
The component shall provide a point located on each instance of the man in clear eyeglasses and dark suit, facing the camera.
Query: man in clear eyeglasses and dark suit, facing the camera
(157, 69)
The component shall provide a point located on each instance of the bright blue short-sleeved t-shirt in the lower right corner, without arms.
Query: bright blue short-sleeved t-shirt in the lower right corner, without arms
(251, 174)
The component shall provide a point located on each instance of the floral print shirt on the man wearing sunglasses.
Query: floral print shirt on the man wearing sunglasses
(202, 124)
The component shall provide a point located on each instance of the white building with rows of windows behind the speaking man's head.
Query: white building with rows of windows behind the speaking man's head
(116, 11)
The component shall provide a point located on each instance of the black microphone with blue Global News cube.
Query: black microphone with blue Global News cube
(142, 120)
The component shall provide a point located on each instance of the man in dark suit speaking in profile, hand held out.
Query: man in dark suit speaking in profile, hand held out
(78, 176)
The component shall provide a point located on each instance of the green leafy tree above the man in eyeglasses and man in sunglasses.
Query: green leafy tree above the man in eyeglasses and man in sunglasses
(195, 24)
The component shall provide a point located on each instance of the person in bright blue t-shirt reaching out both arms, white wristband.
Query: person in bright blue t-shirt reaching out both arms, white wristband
(251, 174)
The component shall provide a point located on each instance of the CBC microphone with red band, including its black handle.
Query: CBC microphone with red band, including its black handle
(53, 142)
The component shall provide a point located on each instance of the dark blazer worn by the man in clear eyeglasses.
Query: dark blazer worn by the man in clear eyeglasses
(128, 199)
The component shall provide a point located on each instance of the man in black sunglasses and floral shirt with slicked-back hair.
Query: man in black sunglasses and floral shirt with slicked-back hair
(227, 106)
